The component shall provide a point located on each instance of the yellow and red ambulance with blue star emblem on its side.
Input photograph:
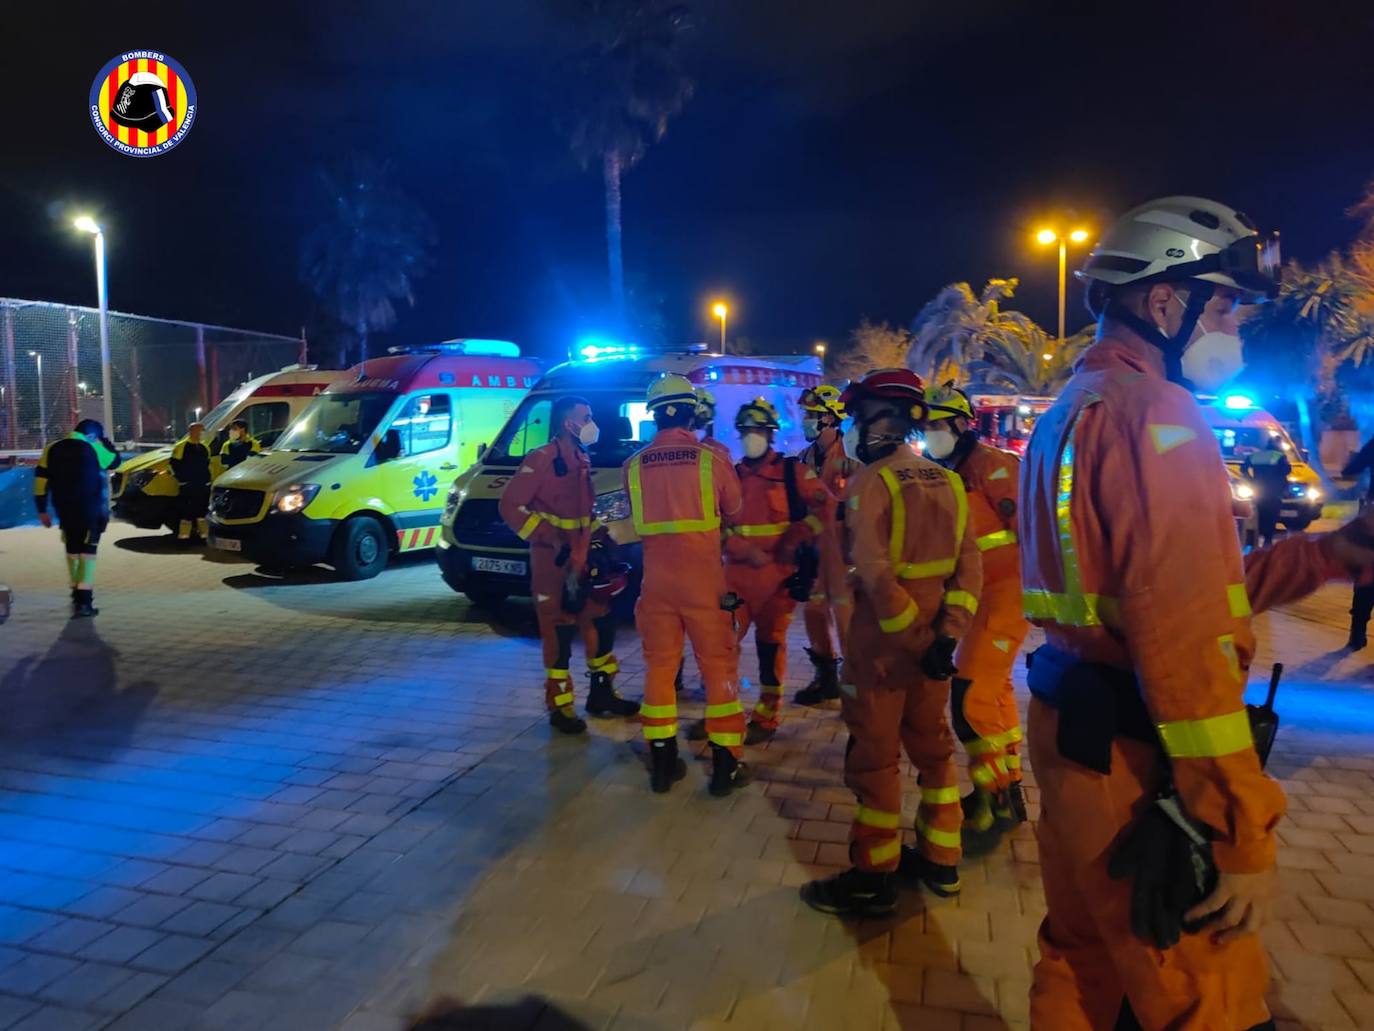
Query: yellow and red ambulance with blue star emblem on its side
(362, 475)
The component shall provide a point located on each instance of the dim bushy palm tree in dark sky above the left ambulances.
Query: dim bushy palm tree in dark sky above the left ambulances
(369, 248)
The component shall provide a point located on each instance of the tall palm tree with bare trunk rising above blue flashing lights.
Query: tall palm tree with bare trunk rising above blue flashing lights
(627, 85)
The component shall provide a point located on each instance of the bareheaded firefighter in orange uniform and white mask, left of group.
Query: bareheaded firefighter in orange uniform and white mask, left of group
(549, 504)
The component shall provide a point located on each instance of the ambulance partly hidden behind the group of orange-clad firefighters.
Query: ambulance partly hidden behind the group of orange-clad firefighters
(482, 557)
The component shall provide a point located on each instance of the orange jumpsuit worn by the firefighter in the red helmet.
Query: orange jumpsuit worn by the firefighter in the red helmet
(917, 577)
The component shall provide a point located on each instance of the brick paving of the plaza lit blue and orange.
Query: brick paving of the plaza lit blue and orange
(252, 803)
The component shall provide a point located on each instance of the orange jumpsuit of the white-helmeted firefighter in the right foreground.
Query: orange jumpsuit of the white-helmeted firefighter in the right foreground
(1131, 560)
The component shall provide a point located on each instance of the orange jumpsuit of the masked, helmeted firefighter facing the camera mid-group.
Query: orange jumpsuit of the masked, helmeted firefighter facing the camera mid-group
(765, 524)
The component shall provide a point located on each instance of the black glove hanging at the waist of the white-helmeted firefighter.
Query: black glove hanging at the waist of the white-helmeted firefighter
(1171, 868)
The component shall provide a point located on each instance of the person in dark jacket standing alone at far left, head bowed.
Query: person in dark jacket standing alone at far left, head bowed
(72, 479)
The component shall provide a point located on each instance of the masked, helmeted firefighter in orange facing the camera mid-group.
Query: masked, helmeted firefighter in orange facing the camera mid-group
(784, 509)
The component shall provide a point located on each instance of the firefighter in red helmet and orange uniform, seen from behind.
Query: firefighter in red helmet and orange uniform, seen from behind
(917, 582)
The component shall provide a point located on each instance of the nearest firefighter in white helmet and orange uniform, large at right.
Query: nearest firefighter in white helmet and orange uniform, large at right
(1133, 567)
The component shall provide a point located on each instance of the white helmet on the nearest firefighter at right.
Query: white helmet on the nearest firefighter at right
(1178, 239)
